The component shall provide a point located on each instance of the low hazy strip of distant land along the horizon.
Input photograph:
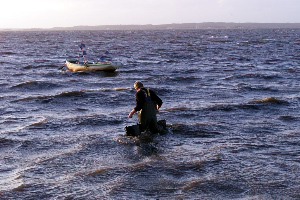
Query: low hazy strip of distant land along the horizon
(191, 26)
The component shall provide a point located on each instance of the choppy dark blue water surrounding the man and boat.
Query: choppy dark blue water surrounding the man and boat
(231, 101)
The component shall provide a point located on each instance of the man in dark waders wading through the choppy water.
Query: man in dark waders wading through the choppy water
(147, 105)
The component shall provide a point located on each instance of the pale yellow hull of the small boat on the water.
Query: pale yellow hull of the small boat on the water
(106, 66)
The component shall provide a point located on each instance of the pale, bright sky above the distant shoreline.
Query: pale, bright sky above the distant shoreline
(68, 13)
